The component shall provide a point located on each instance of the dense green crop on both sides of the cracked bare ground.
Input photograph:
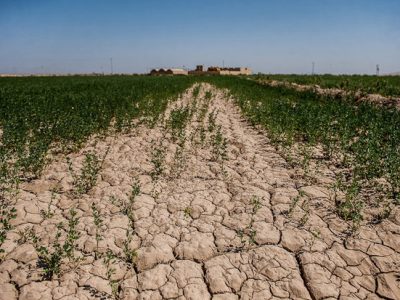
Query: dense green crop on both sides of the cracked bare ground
(39, 114)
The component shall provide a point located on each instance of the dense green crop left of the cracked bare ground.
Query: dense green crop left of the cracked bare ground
(38, 114)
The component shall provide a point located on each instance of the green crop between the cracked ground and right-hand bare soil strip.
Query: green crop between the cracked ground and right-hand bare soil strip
(360, 139)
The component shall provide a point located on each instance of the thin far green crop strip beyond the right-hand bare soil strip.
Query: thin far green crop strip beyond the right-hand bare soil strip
(384, 85)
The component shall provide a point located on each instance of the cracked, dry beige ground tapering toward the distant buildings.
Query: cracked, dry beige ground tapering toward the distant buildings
(219, 215)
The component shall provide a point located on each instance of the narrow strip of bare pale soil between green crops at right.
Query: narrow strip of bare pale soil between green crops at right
(335, 92)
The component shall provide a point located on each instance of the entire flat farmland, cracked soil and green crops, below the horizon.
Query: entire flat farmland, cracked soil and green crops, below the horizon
(185, 187)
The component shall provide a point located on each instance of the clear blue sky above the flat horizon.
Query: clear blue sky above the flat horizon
(270, 36)
